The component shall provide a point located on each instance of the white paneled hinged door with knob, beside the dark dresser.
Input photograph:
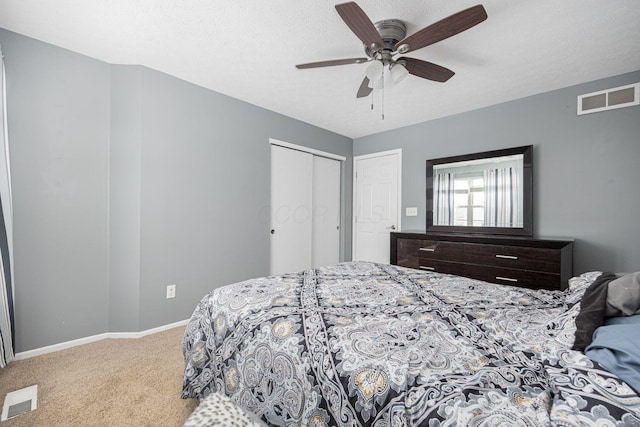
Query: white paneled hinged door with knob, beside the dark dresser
(376, 204)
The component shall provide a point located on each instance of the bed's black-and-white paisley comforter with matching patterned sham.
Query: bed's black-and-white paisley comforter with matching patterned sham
(364, 344)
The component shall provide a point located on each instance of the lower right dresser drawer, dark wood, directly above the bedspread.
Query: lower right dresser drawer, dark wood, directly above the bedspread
(508, 276)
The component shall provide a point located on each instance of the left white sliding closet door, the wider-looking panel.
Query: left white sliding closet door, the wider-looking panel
(291, 210)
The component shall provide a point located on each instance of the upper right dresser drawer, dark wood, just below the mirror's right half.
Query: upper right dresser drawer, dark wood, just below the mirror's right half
(534, 259)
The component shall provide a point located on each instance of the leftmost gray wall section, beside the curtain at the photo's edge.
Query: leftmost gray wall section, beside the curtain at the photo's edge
(58, 123)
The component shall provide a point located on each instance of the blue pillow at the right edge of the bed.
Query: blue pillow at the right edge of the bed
(616, 347)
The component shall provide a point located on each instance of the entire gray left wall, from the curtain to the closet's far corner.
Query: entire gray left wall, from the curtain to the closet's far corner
(126, 180)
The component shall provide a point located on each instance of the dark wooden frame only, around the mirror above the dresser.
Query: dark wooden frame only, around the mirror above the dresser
(527, 203)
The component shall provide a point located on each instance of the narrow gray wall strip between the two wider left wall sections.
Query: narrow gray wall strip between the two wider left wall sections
(125, 154)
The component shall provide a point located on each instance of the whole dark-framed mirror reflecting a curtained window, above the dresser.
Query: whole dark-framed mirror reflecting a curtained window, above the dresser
(488, 193)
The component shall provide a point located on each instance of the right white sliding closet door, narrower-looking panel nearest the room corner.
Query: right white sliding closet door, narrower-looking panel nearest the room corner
(326, 212)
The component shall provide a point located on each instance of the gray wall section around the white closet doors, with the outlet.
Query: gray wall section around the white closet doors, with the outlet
(205, 191)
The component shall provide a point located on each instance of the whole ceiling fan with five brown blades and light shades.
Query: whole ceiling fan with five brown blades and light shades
(386, 39)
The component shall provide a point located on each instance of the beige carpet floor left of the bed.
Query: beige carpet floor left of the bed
(113, 382)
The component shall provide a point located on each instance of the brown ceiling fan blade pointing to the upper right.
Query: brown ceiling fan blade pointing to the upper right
(445, 28)
